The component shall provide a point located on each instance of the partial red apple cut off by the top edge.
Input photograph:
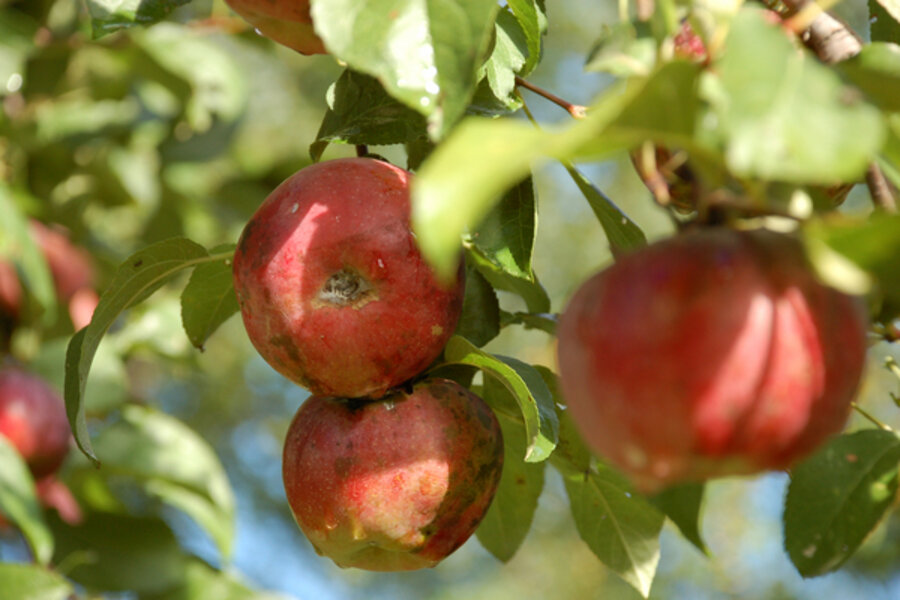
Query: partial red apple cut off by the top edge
(287, 22)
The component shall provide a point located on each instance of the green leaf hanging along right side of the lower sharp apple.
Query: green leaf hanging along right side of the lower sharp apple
(509, 517)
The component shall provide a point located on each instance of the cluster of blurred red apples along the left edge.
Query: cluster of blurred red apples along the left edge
(32, 413)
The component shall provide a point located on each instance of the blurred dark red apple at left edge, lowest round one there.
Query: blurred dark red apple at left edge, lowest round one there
(33, 419)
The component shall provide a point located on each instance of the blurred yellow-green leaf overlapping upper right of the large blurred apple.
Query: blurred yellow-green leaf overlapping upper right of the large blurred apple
(872, 244)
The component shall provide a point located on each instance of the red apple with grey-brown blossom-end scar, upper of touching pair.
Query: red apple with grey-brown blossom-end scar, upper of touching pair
(333, 290)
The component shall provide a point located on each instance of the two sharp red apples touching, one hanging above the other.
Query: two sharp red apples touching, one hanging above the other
(382, 472)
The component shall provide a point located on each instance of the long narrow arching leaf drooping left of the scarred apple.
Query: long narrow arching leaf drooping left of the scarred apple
(137, 278)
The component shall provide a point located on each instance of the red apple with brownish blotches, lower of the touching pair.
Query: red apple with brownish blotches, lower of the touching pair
(395, 484)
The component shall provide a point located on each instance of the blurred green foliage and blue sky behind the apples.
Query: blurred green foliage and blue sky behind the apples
(182, 129)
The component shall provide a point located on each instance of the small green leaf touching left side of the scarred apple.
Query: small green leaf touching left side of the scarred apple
(208, 299)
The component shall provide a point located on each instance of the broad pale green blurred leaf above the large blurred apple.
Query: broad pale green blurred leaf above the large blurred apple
(772, 96)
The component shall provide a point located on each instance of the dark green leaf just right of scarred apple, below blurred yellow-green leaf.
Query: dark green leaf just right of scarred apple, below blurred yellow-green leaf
(502, 245)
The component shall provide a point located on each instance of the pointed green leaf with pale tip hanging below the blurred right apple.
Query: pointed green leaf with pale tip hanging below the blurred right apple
(618, 524)
